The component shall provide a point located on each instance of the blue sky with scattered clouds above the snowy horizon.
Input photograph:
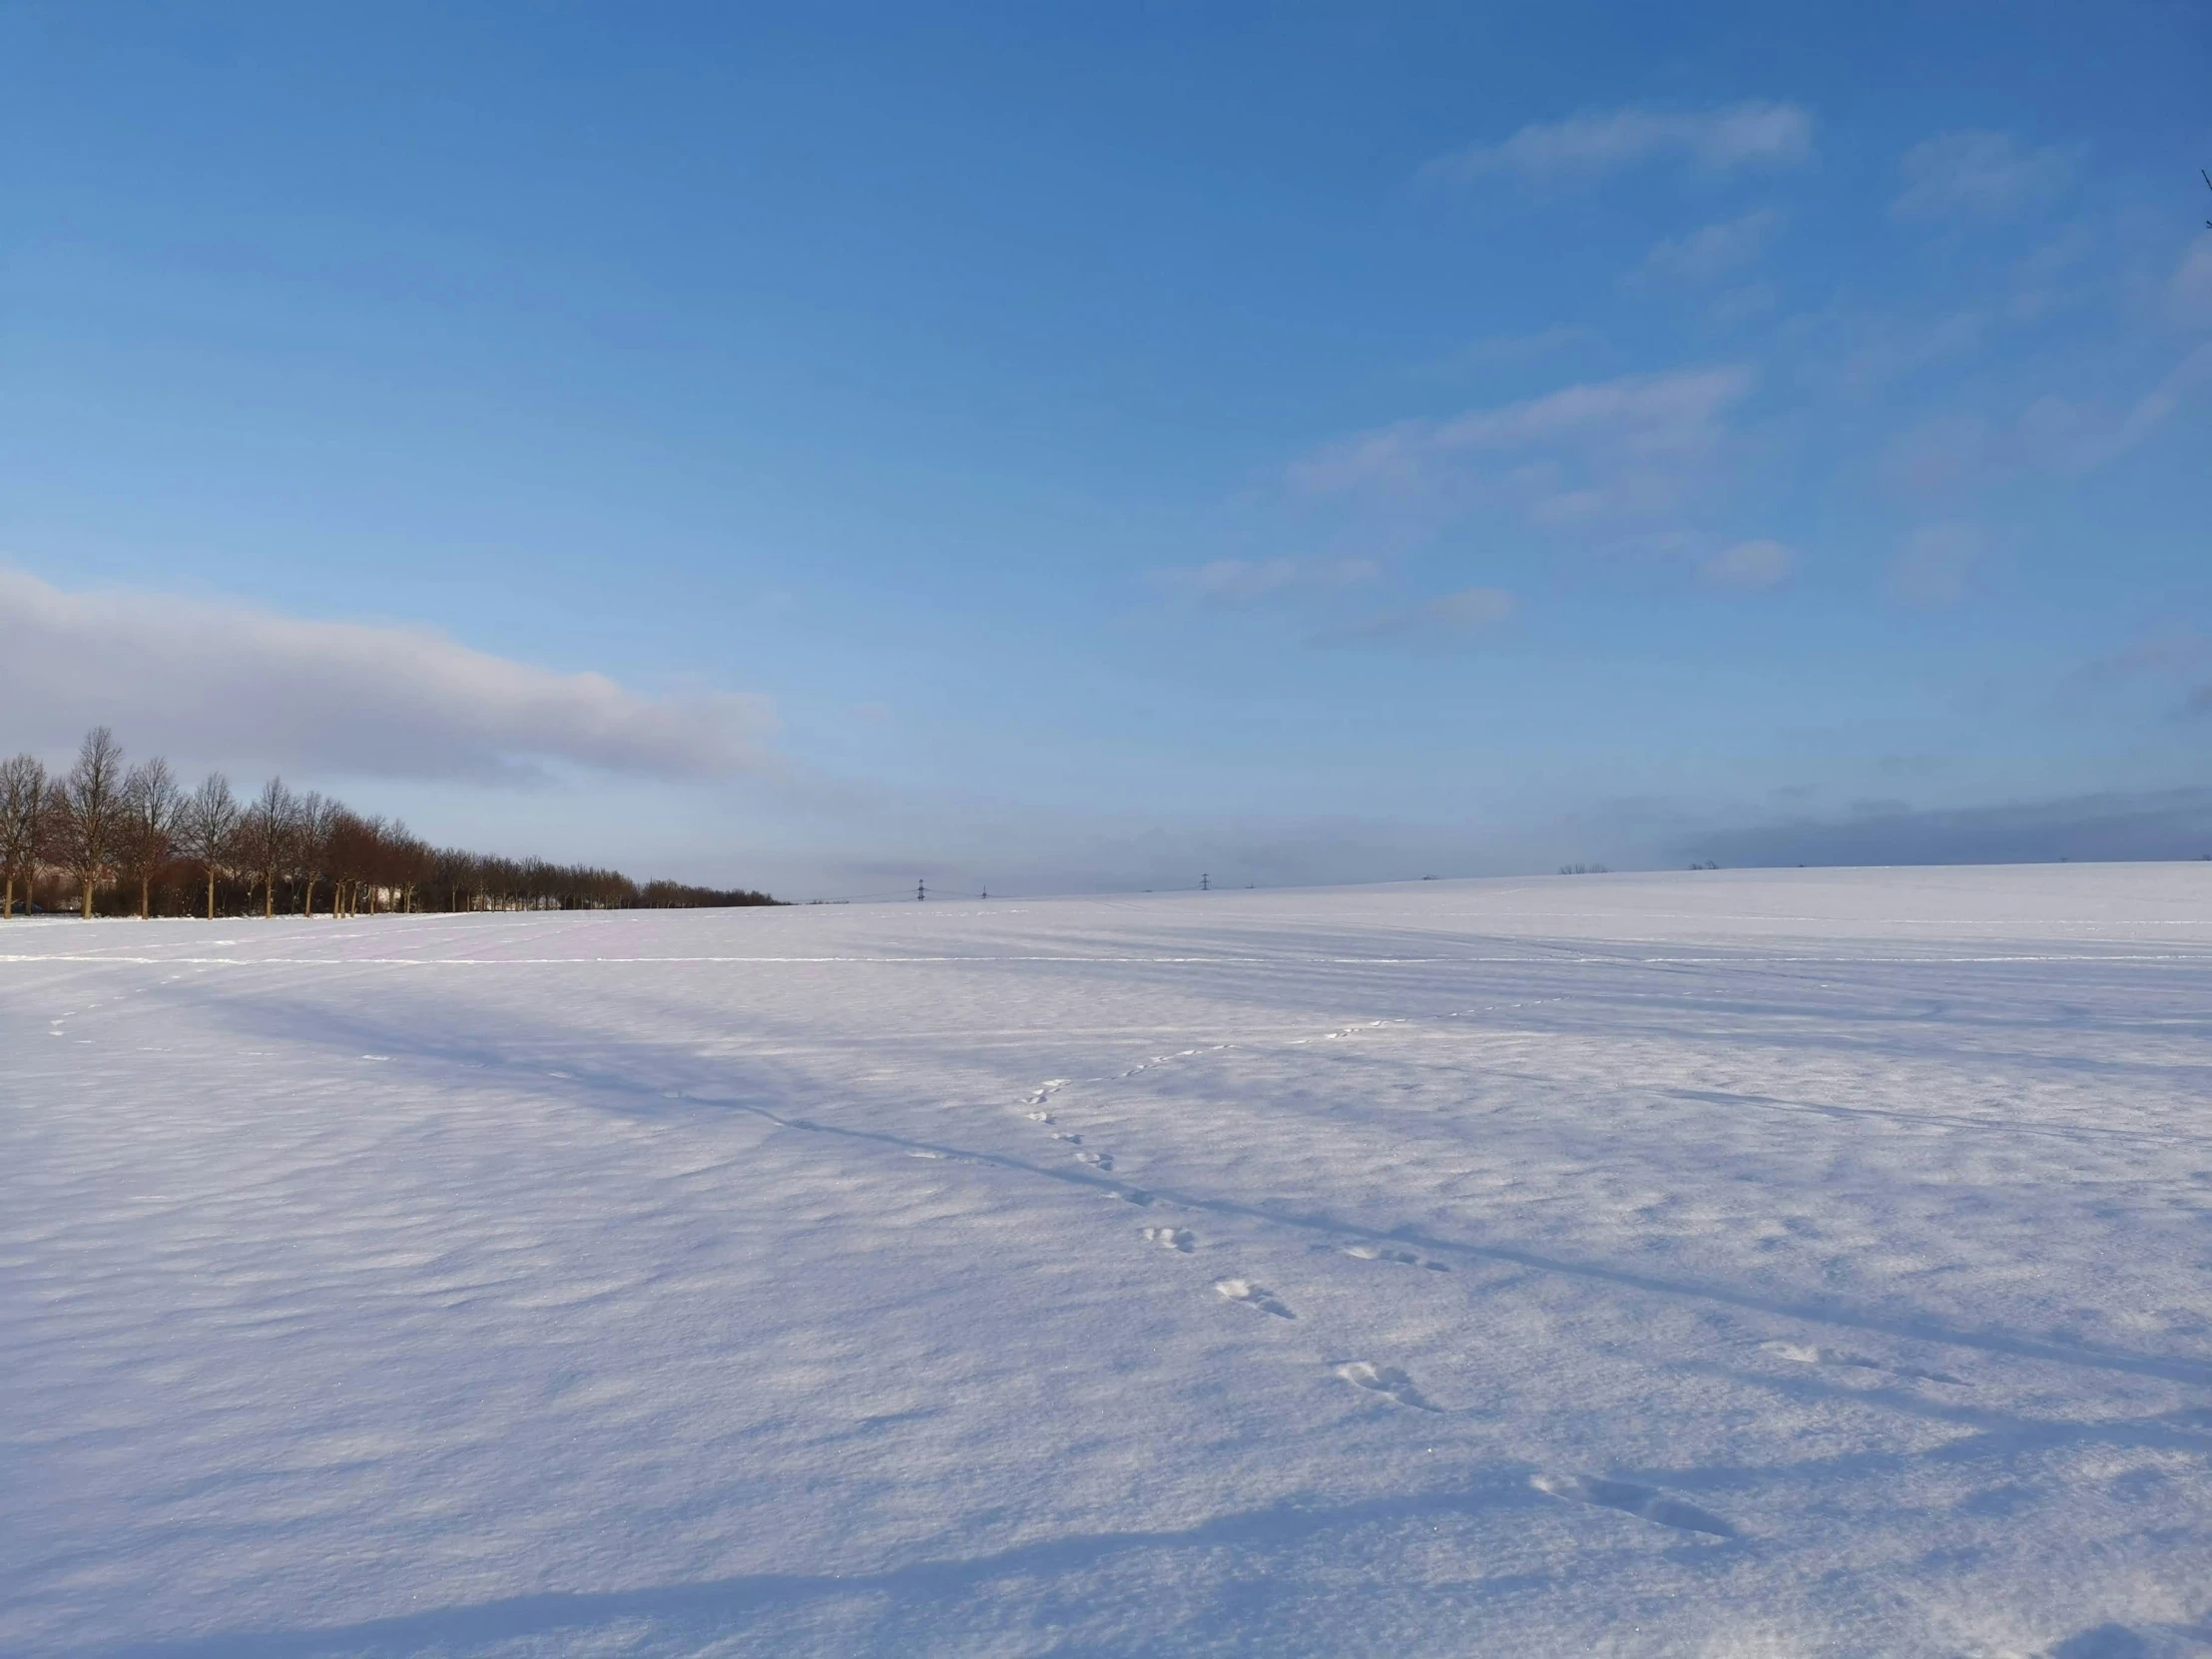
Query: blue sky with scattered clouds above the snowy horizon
(1085, 448)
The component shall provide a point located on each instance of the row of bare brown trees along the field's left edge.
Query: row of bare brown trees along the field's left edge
(132, 833)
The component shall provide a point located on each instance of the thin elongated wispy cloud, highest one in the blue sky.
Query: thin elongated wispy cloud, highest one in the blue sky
(1755, 134)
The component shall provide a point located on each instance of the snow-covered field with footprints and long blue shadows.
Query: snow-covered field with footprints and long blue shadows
(1700, 1264)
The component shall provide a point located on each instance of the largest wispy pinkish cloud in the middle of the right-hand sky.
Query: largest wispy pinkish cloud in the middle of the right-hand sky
(1578, 457)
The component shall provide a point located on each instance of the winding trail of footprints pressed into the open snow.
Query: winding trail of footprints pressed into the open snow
(1395, 1384)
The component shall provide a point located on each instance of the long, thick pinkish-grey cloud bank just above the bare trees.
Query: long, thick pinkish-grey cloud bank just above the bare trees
(242, 687)
